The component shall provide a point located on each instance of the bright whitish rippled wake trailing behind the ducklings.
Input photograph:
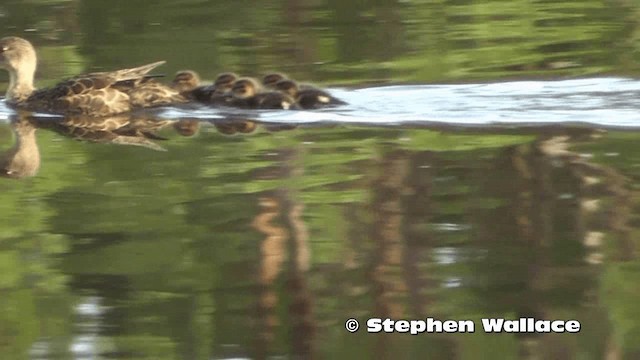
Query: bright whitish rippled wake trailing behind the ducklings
(609, 102)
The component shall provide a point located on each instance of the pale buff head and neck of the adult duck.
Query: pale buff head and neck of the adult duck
(19, 58)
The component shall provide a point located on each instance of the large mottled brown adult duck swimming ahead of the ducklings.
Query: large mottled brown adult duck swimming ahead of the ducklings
(95, 94)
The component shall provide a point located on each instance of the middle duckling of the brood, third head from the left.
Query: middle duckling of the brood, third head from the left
(246, 94)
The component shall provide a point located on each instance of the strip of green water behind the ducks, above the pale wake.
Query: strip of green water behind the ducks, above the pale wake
(333, 41)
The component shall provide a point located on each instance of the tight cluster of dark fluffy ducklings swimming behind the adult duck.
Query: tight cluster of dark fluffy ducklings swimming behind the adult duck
(275, 91)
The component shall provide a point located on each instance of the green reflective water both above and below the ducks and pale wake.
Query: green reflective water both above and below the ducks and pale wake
(261, 244)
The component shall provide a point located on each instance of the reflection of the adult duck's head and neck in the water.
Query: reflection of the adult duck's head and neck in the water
(23, 159)
